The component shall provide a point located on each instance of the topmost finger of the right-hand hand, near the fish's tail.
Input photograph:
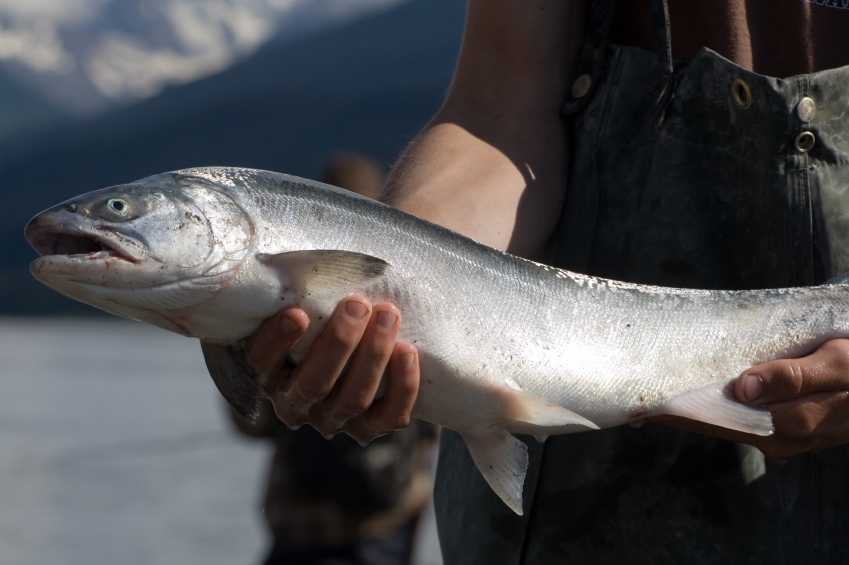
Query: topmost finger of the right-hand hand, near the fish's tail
(827, 369)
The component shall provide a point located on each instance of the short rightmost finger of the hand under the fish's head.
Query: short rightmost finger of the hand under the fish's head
(395, 409)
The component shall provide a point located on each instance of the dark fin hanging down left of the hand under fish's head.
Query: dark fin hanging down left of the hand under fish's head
(238, 383)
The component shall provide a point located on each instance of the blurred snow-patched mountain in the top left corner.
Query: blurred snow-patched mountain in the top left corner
(87, 56)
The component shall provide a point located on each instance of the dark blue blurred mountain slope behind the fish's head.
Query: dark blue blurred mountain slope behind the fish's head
(367, 87)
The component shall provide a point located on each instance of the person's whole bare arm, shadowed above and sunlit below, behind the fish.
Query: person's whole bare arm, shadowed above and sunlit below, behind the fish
(492, 164)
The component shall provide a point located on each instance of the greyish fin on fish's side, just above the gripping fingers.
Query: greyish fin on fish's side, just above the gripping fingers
(325, 272)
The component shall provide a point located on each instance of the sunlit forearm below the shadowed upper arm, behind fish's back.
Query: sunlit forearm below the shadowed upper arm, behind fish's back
(458, 180)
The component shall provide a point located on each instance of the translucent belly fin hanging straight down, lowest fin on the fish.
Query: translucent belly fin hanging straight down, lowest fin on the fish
(502, 460)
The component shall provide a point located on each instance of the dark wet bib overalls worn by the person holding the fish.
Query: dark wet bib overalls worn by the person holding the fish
(693, 174)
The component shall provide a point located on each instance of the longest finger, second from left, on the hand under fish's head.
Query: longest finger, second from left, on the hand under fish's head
(316, 376)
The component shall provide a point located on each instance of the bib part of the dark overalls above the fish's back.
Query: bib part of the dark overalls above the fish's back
(718, 196)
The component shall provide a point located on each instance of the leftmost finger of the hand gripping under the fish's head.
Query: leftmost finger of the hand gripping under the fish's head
(268, 346)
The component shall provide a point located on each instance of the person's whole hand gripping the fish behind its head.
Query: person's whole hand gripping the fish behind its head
(334, 388)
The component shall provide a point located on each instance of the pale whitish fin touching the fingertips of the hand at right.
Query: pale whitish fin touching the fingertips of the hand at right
(716, 404)
